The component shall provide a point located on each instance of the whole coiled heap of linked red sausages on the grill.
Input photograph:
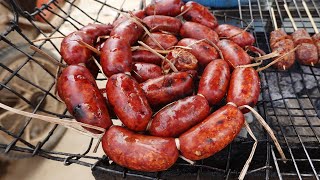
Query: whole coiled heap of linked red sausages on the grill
(137, 87)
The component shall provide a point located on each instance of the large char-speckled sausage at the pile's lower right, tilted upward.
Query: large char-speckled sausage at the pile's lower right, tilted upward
(213, 134)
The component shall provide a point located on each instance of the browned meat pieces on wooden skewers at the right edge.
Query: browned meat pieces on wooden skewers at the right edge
(307, 52)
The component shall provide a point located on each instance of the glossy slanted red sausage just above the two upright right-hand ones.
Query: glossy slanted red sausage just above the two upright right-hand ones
(233, 53)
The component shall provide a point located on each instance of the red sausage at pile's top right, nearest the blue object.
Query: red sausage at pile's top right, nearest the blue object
(199, 14)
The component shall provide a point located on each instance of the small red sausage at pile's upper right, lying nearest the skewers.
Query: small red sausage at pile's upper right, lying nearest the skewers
(236, 34)
